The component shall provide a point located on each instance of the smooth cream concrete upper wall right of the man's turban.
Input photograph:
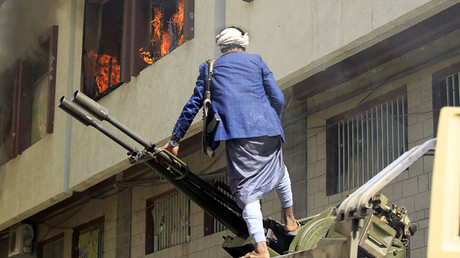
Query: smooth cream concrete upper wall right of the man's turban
(300, 38)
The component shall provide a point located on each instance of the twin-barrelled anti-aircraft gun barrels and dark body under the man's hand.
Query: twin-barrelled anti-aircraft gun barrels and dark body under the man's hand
(213, 201)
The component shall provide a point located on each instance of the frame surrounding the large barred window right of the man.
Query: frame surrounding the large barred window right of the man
(332, 160)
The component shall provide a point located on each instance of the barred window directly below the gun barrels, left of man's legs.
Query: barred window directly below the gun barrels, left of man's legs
(167, 221)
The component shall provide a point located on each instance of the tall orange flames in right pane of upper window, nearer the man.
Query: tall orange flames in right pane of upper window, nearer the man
(162, 39)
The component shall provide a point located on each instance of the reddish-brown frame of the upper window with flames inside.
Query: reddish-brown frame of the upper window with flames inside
(135, 35)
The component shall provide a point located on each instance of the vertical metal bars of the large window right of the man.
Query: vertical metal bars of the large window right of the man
(369, 141)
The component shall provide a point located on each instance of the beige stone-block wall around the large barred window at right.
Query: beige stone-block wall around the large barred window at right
(412, 188)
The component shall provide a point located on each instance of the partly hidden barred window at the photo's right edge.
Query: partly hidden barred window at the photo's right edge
(446, 91)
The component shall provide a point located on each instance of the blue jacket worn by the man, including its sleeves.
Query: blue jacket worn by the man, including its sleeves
(245, 95)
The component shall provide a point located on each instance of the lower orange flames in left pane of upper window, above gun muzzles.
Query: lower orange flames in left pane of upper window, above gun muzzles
(107, 71)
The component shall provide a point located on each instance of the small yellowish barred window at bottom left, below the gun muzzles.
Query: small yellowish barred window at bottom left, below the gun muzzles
(91, 242)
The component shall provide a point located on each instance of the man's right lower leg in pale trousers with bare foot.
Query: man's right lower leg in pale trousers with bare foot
(285, 195)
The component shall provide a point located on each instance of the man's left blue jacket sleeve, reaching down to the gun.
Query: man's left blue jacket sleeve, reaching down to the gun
(192, 106)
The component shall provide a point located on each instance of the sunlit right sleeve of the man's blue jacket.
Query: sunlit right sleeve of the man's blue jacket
(274, 93)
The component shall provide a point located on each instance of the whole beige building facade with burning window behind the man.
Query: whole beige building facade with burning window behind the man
(363, 81)
